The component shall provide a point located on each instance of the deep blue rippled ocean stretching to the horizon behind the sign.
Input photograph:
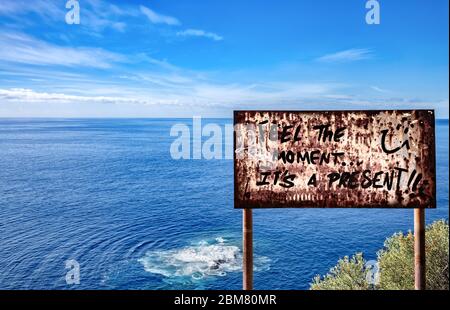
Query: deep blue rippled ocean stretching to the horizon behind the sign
(107, 193)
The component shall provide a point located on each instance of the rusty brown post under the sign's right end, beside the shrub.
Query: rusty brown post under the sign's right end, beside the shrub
(419, 249)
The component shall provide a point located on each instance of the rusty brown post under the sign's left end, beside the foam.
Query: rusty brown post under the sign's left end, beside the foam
(247, 263)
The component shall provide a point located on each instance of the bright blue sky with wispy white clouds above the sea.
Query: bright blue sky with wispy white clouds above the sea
(179, 58)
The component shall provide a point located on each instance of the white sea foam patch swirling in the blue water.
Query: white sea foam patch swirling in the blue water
(198, 261)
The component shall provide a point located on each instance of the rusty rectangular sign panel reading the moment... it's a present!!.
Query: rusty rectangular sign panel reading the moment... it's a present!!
(336, 159)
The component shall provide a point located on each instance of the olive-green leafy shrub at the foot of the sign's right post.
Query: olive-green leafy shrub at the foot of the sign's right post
(396, 264)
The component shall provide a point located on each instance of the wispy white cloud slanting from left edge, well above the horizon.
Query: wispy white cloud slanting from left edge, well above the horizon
(21, 48)
